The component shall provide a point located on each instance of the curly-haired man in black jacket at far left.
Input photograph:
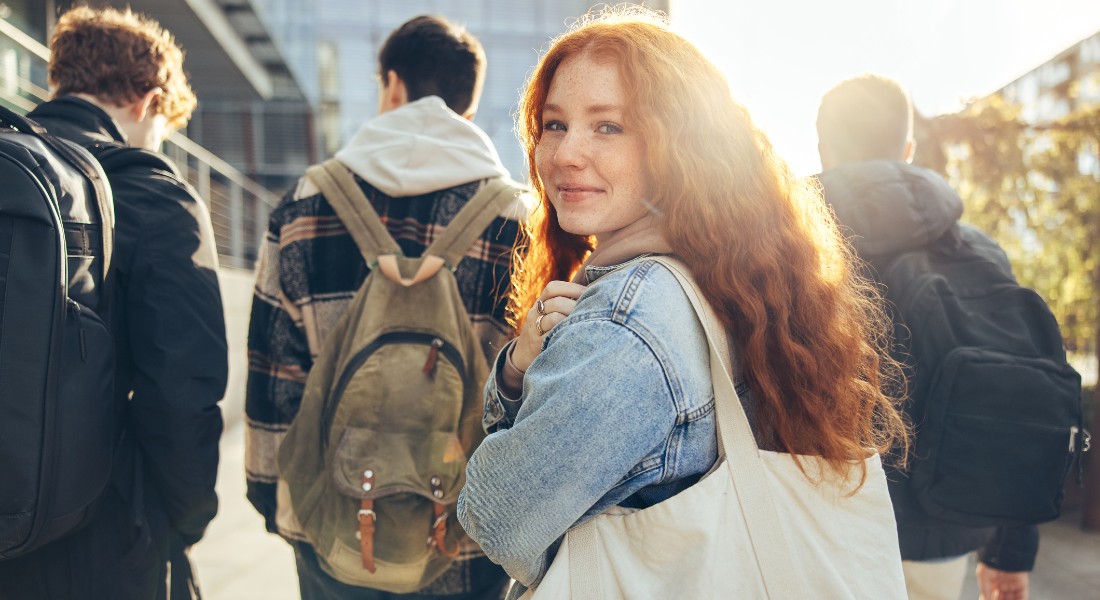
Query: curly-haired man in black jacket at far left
(118, 81)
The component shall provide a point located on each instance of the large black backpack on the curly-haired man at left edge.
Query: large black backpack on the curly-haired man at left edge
(59, 420)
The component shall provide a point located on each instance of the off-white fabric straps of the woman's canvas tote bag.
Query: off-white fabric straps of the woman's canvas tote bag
(743, 460)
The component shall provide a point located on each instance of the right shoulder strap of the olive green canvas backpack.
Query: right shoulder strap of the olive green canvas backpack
(474, 220)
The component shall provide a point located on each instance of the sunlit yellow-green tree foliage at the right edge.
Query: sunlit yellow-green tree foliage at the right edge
(1037, 191)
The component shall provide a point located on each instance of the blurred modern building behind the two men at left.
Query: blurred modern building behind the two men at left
(283, 84)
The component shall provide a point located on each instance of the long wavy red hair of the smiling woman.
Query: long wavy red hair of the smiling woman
(762, 244)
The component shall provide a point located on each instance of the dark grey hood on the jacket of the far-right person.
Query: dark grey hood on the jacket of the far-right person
(890, 206)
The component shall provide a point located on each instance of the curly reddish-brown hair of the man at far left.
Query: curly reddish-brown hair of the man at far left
(118, 57)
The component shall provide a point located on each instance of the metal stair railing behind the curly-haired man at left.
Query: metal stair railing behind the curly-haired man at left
(239, 206)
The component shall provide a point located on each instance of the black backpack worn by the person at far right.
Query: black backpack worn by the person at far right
(996, 407)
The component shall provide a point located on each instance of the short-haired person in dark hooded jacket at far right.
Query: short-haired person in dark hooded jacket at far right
(887, 206)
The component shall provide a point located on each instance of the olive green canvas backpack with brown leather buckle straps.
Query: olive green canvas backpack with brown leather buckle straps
(375, 462)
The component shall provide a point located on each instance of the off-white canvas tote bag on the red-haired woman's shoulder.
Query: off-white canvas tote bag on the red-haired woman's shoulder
(754, 528)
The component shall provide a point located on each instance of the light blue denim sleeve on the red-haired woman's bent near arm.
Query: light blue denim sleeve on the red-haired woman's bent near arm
(596, 403)
